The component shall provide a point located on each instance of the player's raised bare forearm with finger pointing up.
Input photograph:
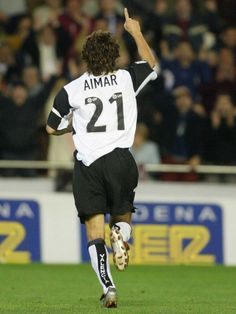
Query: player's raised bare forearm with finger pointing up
(133, 28)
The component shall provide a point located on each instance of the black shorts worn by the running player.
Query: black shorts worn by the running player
(106, 186)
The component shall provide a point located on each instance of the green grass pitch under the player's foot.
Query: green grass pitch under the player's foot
(142, 289)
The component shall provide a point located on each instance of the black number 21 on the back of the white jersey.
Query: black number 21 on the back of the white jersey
(117, 97)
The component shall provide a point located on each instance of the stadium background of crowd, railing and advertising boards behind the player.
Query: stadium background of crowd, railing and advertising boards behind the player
(185, 144)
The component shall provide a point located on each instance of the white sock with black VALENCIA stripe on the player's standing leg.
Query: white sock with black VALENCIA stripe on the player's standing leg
(100, 263)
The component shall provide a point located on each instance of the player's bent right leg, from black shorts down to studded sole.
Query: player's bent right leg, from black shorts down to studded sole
(121, 176)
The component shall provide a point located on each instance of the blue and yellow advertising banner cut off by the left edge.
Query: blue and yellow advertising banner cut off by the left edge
(19, 231)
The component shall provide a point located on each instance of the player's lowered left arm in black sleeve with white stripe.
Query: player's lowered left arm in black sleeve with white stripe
(59, 120)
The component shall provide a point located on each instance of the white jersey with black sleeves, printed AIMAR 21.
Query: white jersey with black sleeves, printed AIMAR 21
(104, 110)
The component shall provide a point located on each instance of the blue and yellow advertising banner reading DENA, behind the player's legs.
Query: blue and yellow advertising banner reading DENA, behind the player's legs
(173, 233)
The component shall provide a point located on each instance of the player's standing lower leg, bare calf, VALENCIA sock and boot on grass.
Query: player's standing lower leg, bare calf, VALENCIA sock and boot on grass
(100, 259)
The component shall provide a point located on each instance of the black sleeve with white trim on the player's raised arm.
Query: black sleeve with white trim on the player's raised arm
(141, 73)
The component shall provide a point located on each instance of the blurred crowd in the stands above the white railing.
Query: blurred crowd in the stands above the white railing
(186, 116)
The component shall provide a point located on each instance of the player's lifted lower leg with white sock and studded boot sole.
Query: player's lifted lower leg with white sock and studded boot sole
(119, 236)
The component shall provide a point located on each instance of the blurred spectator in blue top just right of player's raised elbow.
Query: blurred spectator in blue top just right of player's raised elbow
(185, 69)
